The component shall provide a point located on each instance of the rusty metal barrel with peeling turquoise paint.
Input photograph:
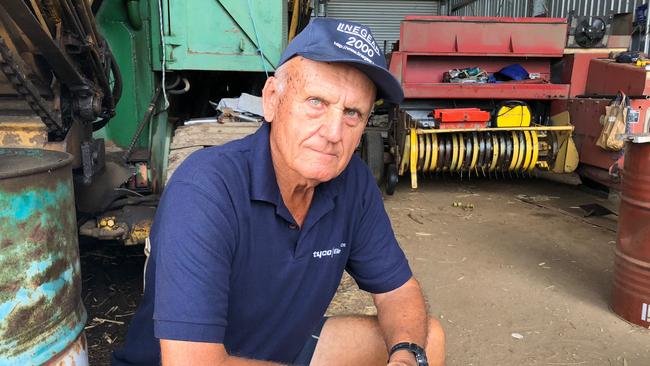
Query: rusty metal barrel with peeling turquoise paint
(42, 316)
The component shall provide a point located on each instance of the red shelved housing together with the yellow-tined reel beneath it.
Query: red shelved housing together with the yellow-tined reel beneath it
(431, 46)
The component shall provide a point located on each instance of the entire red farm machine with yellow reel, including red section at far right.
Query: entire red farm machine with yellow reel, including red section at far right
(506, 97)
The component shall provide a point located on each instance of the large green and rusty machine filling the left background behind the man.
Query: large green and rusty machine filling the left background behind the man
(110, 81)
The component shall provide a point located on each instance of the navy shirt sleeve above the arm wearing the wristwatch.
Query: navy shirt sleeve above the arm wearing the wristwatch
(376, 261)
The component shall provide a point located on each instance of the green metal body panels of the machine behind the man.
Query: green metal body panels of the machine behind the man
(209, 42)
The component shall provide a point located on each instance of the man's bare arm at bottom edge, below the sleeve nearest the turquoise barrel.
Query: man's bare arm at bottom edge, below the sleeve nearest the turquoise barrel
(181, 353)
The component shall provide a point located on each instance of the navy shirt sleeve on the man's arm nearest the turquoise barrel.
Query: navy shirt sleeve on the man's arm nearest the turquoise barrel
(194, 235)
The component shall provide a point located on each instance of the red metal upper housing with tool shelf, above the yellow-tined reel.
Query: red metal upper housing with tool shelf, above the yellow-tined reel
(430, 46)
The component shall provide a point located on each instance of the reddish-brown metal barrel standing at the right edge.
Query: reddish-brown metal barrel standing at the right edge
(631, 293)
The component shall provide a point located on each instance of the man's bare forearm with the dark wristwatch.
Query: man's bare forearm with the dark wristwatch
(403, 318)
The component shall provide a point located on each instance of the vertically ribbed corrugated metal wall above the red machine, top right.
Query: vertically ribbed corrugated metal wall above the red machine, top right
(556, 8)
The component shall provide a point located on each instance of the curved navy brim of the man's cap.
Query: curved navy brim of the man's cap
(388, 88)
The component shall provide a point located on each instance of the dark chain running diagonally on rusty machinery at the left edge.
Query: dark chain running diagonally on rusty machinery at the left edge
(12, 66)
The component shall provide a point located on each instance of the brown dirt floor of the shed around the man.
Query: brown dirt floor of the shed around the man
(519, 279)
